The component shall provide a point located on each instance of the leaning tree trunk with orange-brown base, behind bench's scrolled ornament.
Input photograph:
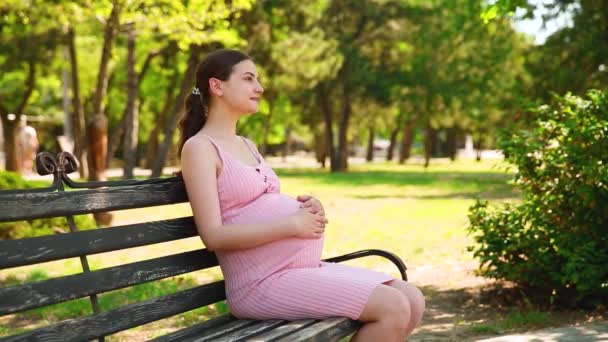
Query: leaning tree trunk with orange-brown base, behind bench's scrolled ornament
(98, 127)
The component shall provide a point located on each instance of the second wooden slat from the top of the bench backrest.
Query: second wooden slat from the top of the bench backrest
(21, 252)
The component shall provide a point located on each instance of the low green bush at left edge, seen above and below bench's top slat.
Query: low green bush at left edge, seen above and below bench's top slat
(31, 228)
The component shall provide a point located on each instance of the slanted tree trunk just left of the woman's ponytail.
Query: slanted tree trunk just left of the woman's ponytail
(178, 109)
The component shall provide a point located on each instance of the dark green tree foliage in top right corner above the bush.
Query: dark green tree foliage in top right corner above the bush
(573, 58)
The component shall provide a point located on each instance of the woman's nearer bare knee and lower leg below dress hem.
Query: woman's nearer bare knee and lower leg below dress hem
(385, 317)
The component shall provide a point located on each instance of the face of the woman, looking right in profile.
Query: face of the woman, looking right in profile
(242, 91)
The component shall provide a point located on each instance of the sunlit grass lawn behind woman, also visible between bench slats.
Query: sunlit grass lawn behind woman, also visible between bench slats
(421, 215)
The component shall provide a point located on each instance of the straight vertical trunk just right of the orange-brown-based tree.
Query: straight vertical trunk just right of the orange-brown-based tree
(131, 110)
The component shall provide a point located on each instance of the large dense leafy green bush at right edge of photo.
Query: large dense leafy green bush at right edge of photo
(557, 239)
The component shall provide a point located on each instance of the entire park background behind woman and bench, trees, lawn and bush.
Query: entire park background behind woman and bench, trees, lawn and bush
(467, 136)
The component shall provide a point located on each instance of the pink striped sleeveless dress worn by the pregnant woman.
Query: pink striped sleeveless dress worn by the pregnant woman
(283, 279)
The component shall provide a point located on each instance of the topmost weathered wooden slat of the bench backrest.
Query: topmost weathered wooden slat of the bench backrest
(15, 207)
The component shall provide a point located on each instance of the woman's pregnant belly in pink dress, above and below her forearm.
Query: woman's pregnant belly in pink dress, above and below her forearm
(246, 267)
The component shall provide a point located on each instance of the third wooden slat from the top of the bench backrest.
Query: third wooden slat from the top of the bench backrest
(28, 296)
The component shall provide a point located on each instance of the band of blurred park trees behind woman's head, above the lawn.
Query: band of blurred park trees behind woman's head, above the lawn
(369, 79)
